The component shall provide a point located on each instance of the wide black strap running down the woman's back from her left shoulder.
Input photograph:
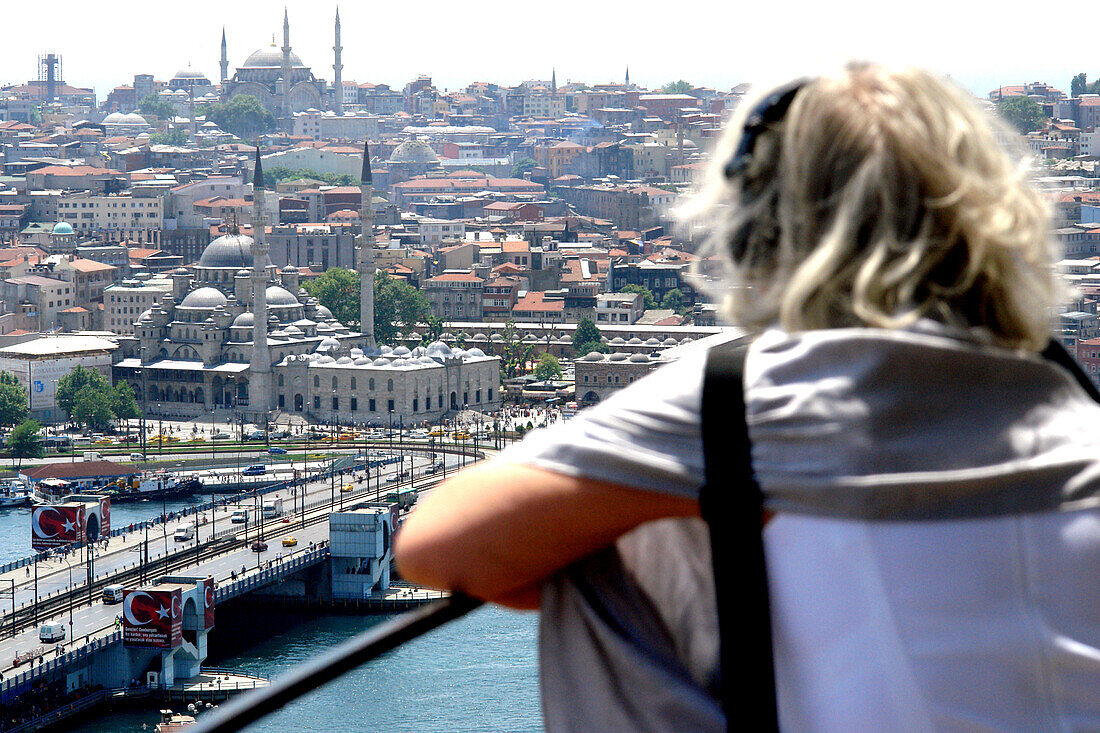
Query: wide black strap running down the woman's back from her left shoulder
(733, 507)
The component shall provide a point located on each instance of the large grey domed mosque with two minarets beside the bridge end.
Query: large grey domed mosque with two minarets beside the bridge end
(239, 335)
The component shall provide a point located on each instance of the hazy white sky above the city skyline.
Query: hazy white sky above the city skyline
(105, 45)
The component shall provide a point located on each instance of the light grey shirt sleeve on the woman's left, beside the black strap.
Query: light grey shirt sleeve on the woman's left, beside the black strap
(646, 436)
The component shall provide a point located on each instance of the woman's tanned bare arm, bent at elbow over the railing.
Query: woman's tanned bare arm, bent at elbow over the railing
(498, 531)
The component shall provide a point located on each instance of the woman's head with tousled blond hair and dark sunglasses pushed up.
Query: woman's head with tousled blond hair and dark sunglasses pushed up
(878, 198)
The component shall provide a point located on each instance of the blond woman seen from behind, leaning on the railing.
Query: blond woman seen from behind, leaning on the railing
(927, 455)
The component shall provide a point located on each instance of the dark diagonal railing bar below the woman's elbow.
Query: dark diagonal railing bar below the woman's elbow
(358, 651)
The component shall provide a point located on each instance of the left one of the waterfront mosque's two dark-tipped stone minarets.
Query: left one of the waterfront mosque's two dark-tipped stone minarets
(260, 367)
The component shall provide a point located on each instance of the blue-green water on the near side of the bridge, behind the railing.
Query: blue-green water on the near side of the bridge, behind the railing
(477, 674)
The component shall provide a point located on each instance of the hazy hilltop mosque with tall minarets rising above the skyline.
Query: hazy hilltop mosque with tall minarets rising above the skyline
(280, 80)
